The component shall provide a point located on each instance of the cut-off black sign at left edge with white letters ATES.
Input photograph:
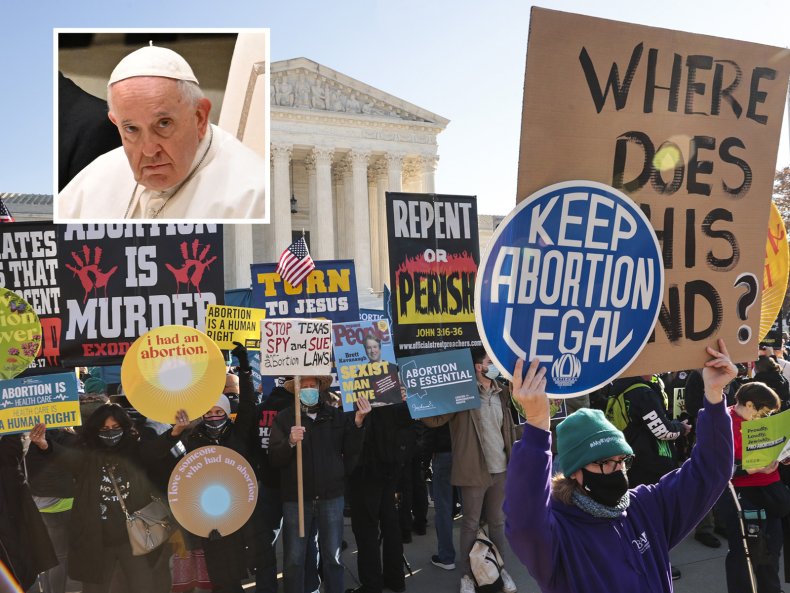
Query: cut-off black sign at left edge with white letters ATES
(28, 267)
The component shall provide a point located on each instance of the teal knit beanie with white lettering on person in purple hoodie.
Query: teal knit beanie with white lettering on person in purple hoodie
(586, 436)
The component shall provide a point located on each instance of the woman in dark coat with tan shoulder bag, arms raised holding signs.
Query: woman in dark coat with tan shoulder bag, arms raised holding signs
(109, 453)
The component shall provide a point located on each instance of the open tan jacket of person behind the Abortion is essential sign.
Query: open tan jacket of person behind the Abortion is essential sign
(469, 463)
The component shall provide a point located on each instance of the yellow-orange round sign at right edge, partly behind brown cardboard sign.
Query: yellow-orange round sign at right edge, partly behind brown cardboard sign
(775, 271)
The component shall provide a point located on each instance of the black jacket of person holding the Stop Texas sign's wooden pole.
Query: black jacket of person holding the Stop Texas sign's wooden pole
(330, 448)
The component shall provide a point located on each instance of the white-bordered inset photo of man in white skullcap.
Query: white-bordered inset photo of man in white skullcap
(162, 125)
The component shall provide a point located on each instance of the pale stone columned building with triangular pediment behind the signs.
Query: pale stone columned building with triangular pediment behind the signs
(337, 145)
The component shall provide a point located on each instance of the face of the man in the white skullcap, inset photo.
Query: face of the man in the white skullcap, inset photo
(160, 130)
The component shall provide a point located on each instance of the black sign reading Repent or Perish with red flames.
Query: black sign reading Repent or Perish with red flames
(433, 256)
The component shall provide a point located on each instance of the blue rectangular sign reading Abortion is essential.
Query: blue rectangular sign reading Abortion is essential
(439, 383)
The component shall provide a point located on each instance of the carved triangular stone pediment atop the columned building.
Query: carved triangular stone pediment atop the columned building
(303, 85)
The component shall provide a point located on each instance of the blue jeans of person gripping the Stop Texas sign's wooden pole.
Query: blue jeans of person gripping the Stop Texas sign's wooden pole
(327, 516)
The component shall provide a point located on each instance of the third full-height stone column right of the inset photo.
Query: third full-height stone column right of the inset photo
(359, 229)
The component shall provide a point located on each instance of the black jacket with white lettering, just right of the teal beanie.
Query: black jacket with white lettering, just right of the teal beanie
(650, 432)
